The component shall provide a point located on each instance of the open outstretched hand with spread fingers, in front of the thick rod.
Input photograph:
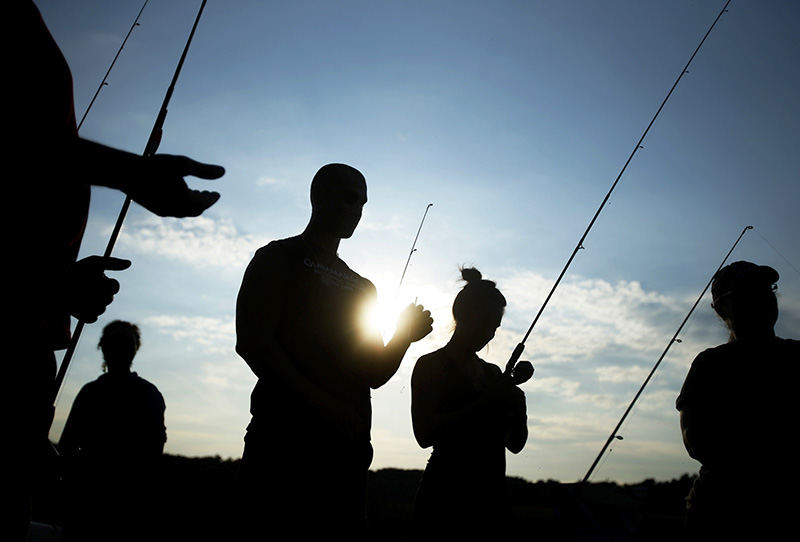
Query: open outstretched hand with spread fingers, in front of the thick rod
(162, 190)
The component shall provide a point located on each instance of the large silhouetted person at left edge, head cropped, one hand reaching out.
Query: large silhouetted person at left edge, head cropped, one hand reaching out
(48, 178)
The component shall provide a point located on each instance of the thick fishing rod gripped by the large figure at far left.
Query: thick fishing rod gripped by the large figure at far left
(150, 149)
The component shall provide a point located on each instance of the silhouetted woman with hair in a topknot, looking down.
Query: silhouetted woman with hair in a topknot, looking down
(470, 413)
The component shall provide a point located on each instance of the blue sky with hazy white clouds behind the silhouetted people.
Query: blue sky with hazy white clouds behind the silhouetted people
(513, 118)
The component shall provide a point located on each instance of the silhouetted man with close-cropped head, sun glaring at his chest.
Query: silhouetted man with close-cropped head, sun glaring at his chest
(299, 327)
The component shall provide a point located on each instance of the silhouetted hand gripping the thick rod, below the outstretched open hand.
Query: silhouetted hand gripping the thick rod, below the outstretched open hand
(88, 290)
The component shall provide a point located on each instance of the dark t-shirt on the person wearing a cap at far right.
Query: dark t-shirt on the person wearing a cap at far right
(746, 391)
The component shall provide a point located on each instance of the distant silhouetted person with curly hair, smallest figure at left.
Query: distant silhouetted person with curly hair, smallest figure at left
(112, 442)
